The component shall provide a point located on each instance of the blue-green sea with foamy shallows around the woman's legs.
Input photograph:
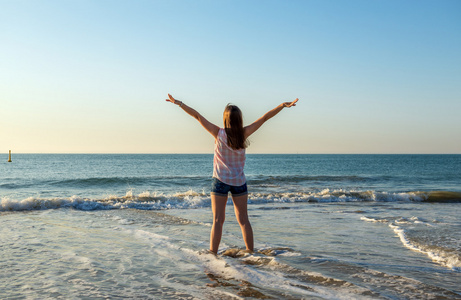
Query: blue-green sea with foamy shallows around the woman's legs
(113, 226)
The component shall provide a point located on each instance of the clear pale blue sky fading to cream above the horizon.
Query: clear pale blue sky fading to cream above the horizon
(91, 76)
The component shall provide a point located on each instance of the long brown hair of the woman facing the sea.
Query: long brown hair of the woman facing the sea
(233, 124)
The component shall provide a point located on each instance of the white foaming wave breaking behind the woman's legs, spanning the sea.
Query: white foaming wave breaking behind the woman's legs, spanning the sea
(192, 199)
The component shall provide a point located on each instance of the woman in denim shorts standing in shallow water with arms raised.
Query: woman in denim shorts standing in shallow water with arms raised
(228, 164)
